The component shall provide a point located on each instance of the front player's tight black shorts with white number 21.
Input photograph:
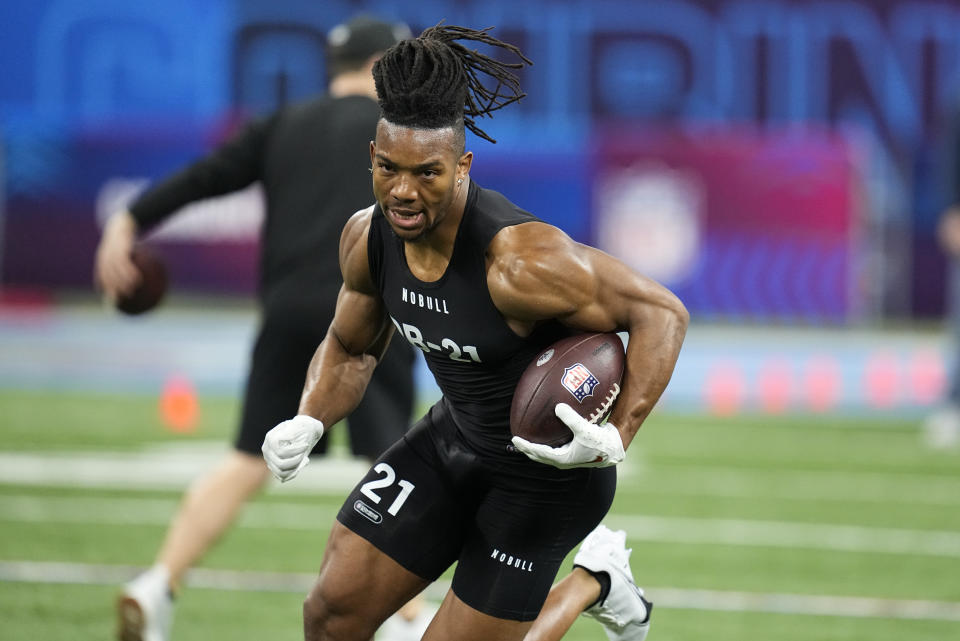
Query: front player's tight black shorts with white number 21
(432, 500)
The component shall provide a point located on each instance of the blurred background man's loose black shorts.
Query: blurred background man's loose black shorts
(277, 373)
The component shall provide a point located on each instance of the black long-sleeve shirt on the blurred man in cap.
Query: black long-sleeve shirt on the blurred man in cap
(312, 160)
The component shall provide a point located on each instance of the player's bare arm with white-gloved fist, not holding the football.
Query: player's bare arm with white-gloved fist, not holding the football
(343, 363)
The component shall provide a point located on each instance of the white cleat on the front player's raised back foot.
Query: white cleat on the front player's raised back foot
(625, 614)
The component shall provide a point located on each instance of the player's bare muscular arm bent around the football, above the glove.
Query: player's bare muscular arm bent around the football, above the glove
(537, 272)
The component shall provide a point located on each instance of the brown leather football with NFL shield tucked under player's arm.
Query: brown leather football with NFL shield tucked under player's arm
(583, 371)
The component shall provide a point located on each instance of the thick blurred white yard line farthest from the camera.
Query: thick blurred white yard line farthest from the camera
(175, 466)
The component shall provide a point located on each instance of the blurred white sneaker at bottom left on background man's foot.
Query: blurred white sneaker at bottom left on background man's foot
(145, 608)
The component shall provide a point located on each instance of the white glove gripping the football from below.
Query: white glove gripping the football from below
(592, 445)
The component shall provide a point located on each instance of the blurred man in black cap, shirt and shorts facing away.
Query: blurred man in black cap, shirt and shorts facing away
(312, 161)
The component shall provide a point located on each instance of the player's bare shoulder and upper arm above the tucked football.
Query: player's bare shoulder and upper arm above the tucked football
(539, 273)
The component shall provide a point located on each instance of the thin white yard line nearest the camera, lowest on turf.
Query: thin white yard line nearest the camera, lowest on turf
(663, 597)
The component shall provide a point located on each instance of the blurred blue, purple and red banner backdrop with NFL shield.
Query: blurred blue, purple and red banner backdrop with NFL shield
(768, 160)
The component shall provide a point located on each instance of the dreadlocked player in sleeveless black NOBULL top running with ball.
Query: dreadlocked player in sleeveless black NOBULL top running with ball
(453, 490)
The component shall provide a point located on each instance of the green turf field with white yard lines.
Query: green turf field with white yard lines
(742, 528)
